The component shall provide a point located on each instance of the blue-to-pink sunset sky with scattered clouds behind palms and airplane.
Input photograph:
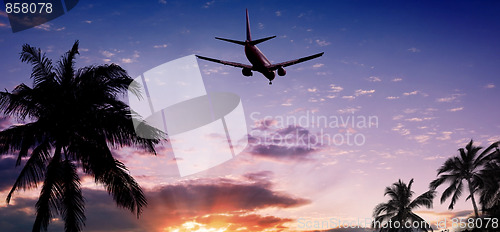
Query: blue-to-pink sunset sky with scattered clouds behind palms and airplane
(420, 79)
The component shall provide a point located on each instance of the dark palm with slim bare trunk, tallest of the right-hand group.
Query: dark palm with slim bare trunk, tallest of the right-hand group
(467, 167)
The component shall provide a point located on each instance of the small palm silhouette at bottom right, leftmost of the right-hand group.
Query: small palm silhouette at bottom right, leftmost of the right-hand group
(399, 208)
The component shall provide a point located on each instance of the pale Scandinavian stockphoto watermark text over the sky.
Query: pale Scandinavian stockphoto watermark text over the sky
(311, 130)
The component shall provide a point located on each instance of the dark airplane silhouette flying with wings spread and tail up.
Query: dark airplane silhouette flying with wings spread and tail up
(259, 62)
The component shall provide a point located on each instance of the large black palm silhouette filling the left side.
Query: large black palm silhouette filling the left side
(70, 119)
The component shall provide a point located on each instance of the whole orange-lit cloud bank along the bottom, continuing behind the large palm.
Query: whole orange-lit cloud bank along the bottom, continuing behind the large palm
(233, 201)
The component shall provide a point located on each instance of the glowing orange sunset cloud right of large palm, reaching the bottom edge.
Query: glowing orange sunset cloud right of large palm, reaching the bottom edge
(216, 202)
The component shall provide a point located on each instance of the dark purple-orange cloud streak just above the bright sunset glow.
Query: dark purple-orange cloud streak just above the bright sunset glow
(221, 195)
